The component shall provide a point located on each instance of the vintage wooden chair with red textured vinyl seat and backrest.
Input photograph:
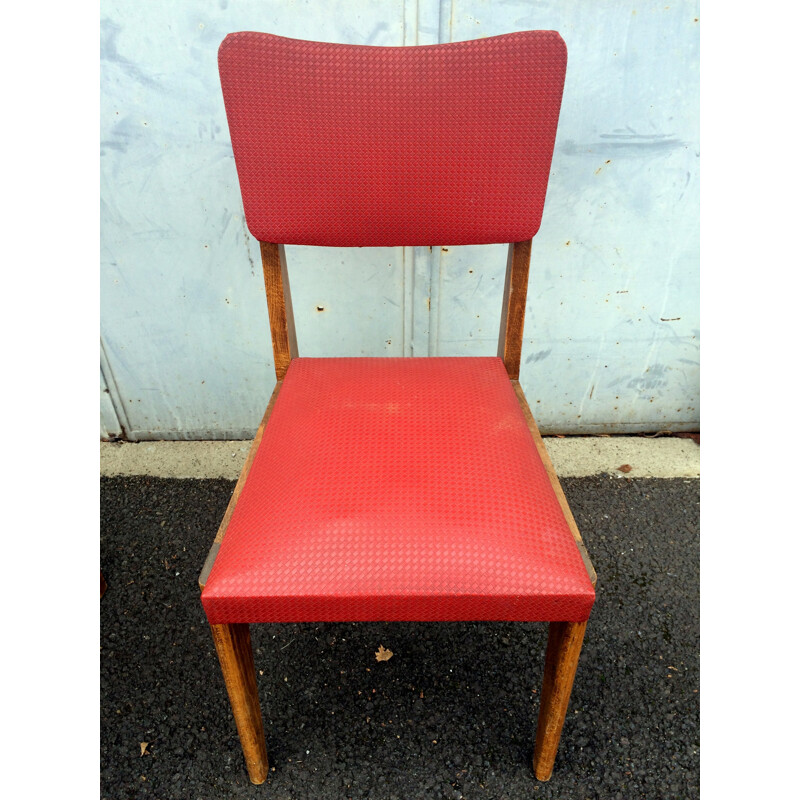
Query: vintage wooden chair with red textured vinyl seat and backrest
(386, 489)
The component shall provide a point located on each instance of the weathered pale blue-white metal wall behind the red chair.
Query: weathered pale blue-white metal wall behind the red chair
(612, 330)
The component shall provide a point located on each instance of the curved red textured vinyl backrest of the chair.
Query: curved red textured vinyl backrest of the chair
(365, 146)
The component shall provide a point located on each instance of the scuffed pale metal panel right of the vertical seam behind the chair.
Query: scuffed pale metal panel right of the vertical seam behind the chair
(612, 327)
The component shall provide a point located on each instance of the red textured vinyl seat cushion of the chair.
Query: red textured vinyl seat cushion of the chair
(397, 489)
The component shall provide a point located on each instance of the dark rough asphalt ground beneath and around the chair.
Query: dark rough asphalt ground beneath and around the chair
(452, 714)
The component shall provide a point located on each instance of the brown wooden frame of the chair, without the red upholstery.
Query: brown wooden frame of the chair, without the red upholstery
(232, 641)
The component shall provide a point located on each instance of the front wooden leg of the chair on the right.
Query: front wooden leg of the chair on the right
(563, 650)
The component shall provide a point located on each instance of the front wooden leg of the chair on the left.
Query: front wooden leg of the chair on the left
(236, 659)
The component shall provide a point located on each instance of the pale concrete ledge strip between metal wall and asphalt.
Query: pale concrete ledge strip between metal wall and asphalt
(572, 457)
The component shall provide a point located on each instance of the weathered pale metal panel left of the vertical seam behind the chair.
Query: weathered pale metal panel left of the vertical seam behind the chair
(183, 310)
